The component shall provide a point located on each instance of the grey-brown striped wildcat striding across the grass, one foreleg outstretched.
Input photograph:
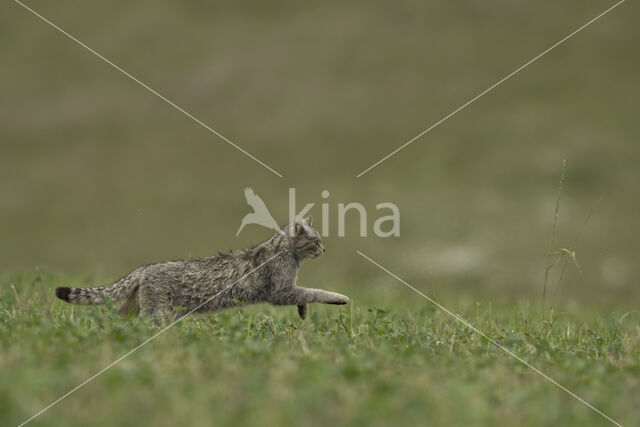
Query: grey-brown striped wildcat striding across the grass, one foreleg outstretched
(264, 273)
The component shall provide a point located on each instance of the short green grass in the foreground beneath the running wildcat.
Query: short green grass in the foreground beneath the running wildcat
(357, 365)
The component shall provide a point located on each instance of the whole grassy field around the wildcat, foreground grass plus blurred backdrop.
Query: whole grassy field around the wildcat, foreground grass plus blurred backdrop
(98, 176)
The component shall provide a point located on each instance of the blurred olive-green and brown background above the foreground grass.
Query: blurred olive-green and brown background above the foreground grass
(98, 176)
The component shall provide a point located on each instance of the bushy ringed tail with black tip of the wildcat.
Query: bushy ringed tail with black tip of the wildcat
(116, 291)
